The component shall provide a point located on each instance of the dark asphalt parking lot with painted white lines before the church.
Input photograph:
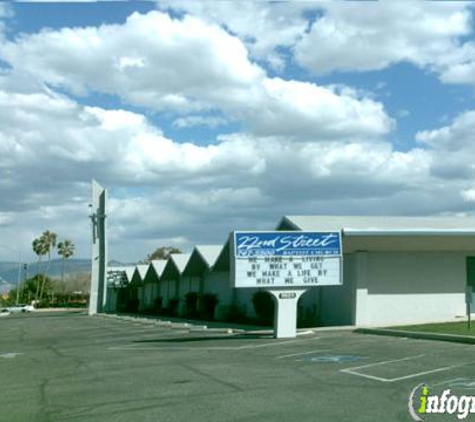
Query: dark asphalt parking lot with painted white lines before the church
(71, 367)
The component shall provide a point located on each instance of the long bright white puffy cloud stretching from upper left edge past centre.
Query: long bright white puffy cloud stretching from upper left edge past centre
(188, 65)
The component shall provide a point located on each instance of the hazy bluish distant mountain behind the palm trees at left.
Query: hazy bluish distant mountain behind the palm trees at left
(9, 270)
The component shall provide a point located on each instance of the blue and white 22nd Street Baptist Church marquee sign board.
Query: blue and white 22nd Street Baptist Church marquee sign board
(287, 259)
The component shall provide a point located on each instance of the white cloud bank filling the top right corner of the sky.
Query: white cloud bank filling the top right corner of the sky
(348, 36)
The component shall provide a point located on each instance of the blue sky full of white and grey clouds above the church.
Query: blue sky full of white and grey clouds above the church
(204, 117)
